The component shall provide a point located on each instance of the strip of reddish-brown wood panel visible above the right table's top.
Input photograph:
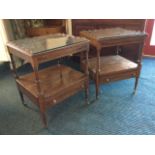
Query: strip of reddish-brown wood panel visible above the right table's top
(79, 25)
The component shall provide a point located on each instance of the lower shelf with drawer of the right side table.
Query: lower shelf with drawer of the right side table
(112, 68)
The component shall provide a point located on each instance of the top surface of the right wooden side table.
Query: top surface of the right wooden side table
(111, 33)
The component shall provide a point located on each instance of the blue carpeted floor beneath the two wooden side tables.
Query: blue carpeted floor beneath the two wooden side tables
(117, 111)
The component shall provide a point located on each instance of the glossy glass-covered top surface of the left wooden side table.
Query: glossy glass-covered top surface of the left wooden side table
(44, 43)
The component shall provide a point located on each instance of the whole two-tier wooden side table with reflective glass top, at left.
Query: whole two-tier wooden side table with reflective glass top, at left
(51, 85)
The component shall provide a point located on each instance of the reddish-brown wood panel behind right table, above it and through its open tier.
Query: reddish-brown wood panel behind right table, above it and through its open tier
(79, 25)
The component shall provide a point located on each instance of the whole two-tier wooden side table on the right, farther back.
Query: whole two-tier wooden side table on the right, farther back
(110, 68)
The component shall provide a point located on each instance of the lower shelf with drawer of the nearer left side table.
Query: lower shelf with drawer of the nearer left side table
(56, 83)
